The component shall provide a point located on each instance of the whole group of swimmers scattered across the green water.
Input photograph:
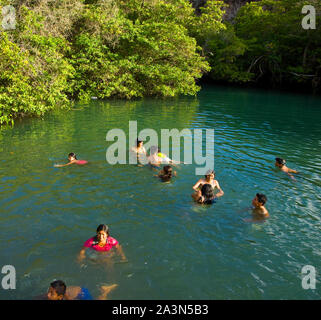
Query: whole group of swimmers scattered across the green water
(203, 193)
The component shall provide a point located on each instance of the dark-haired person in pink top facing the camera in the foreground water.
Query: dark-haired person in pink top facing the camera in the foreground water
(102, 242)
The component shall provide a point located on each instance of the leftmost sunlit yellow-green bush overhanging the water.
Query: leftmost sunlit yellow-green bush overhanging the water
(33, 71)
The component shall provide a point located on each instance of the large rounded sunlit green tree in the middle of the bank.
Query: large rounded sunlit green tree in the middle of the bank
(116, 56)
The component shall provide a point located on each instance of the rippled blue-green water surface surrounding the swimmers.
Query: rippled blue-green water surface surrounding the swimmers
(175, 249)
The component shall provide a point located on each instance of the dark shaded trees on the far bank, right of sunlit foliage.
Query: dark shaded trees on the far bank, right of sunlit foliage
(279, 50)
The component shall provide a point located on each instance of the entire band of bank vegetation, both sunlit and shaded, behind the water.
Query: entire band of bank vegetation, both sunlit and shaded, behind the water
(62, 51)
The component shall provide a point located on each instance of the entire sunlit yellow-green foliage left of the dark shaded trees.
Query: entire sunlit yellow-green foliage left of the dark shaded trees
(78, 49)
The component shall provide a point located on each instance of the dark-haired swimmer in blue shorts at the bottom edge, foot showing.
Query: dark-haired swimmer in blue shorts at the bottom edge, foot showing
(59, 291)
